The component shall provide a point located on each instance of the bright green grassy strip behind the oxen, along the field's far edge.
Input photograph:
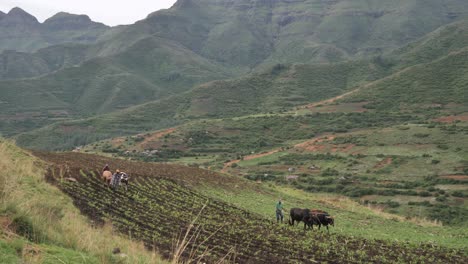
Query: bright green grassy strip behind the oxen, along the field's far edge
(352, 219)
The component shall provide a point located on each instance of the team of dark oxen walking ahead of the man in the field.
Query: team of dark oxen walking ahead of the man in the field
(310, 217)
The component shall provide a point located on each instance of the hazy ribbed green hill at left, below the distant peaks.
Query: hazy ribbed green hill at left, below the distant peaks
(153, 69)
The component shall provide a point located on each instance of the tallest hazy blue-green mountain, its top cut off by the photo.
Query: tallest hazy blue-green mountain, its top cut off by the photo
(251, 32)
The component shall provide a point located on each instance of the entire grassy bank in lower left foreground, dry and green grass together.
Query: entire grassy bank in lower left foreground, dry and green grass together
(39, 224)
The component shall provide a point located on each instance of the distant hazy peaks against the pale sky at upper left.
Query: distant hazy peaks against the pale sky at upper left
(21, 31)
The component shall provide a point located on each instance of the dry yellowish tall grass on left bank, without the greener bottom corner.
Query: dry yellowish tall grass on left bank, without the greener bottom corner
(46, 216)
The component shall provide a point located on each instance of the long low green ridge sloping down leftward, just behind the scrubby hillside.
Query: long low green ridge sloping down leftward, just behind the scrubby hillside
(278, 89)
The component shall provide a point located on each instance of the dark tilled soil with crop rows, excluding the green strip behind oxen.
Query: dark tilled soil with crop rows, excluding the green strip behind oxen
(161, 205)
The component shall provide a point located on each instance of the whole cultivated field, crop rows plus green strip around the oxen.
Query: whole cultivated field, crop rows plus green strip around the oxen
(160, 192)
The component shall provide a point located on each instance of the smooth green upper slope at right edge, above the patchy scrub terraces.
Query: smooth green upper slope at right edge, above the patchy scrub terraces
(429, 85)
